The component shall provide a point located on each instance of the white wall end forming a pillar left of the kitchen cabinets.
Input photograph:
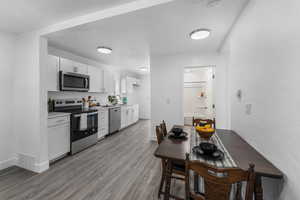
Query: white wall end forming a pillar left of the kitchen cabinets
(27, 103)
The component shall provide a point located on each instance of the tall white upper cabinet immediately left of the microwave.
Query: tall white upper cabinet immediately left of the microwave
(52, 73)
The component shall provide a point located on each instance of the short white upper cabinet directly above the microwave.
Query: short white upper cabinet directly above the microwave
(72, 66)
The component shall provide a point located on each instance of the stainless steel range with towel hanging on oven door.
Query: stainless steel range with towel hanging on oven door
(84, 123)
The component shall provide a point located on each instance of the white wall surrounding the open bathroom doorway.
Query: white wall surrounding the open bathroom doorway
(167, 87)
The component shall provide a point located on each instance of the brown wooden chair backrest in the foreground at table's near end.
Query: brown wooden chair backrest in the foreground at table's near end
(218, 181)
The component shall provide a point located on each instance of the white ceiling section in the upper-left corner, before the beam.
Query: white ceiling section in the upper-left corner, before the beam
(19, 16)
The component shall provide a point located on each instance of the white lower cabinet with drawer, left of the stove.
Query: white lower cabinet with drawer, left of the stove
(58, 136)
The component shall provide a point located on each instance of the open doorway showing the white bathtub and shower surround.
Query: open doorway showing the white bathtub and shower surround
(198, 92)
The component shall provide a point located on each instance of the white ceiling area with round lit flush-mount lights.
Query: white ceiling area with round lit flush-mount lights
(161, 30)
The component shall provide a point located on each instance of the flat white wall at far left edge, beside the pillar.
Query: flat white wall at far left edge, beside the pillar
(7, 138)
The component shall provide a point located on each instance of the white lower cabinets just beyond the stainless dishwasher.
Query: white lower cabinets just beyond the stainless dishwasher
(129, 115)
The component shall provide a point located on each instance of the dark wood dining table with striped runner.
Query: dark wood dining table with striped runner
(238, 153)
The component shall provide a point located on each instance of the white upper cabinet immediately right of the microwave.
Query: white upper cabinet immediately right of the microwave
(96, 79)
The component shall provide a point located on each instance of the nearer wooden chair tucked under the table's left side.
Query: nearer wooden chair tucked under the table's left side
(178, 169)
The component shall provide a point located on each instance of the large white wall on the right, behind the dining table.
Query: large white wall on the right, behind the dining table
(264, 62)
